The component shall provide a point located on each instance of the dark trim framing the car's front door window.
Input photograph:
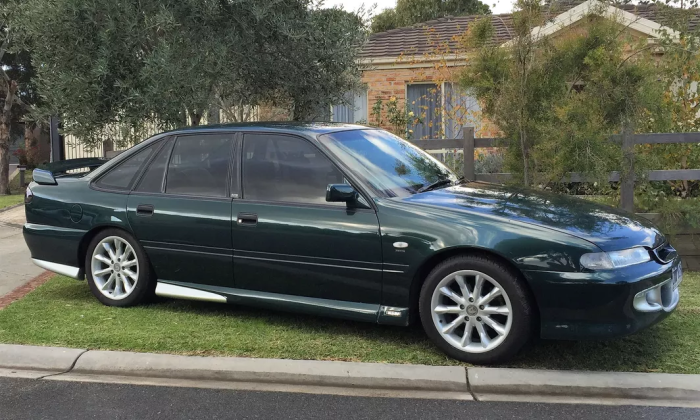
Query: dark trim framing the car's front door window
(313, 144)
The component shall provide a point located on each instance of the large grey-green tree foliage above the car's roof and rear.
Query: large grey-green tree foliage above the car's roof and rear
(167, 62)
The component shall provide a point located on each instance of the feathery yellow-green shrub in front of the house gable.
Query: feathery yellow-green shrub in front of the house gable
(558, 101)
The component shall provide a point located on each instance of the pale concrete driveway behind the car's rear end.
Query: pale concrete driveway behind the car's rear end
(16, 267)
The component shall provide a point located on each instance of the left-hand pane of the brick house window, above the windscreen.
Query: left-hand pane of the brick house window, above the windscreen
(425, 101)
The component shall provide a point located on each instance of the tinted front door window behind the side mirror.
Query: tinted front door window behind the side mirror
(289, 169)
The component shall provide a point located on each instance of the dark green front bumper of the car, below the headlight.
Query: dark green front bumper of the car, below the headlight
(604, 304)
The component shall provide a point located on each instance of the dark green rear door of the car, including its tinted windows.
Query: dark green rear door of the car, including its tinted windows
(180, 211)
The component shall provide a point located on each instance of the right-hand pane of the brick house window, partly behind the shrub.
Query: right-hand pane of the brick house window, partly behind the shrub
(461, 109)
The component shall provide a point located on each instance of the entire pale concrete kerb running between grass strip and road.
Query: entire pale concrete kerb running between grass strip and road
(347, 378)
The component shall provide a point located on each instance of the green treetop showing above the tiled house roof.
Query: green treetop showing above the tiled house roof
(410, 12)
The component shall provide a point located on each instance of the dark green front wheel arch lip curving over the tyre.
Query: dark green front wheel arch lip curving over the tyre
(430, 263)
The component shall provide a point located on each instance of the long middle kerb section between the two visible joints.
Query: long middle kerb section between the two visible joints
(451, 380)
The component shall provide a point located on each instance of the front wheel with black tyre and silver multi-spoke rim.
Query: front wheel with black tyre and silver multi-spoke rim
(495, 337)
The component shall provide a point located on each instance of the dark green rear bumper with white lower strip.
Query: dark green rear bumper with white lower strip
(55, 248)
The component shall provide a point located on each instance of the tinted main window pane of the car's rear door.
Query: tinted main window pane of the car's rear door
(199, 165)
